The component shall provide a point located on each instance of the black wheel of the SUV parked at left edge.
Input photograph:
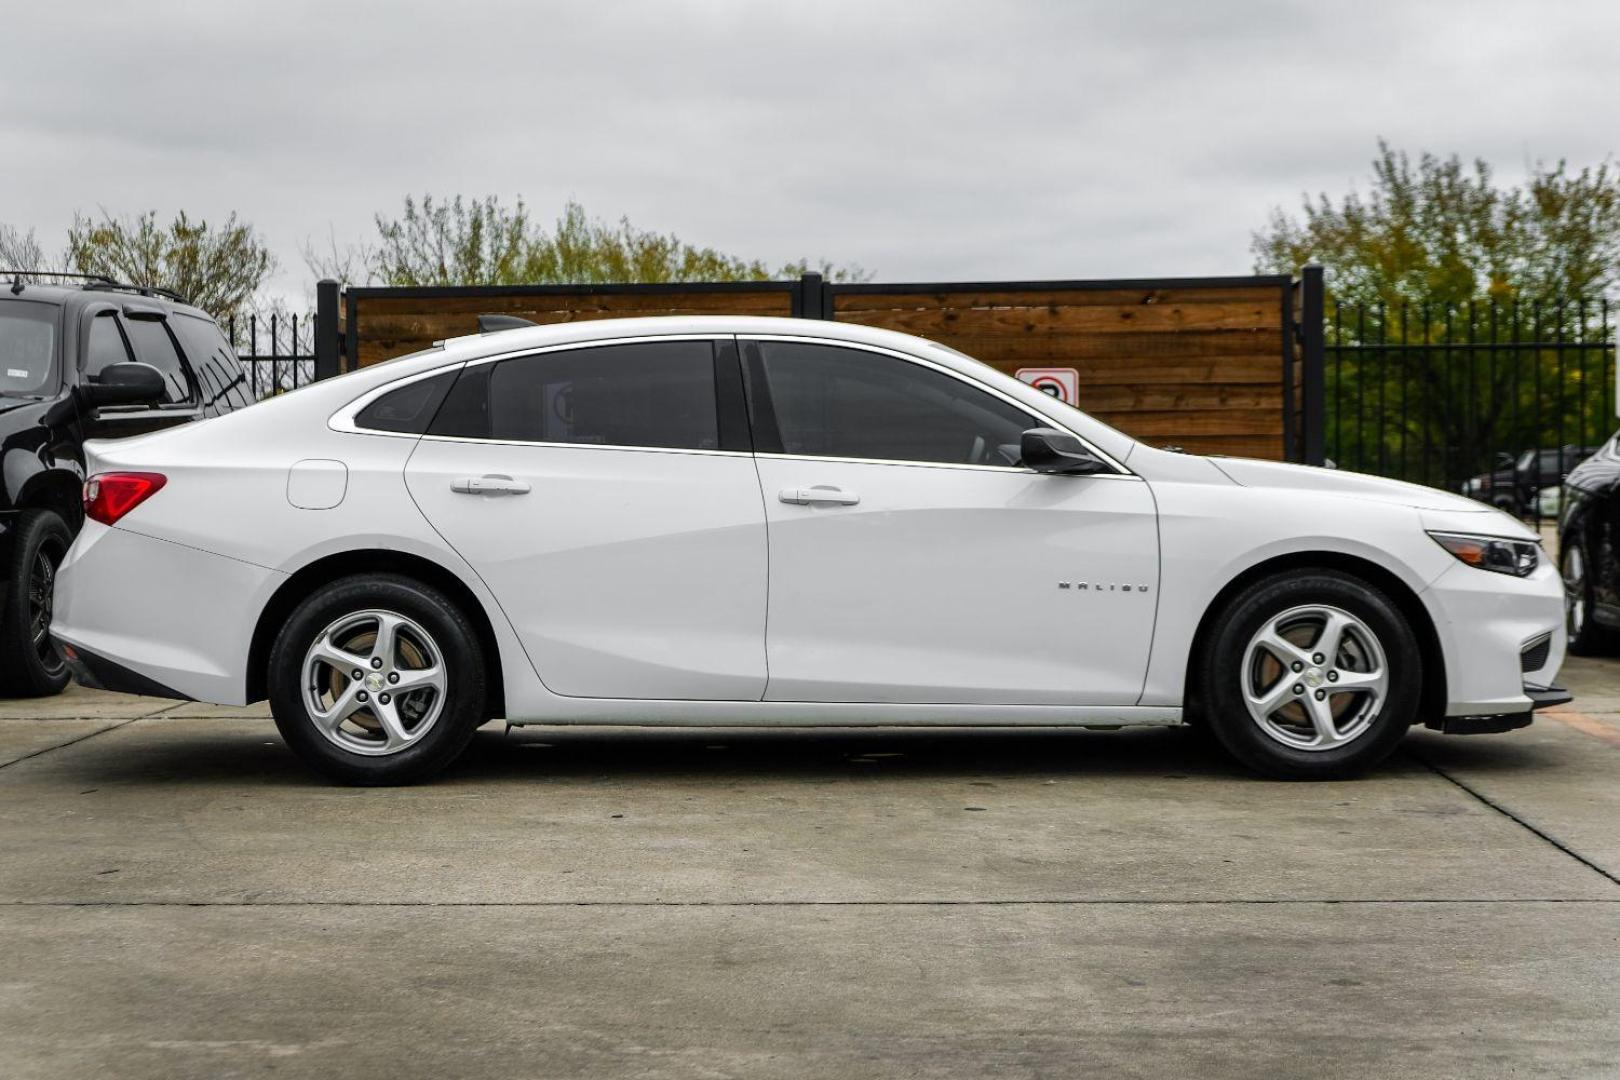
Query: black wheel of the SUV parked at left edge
(32, 668)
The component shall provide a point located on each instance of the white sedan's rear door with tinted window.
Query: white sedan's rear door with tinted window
(608, 498)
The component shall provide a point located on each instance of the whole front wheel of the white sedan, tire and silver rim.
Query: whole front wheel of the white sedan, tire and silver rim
(1371, 733)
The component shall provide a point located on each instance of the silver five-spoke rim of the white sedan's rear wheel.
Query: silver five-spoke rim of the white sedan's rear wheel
(375, 682)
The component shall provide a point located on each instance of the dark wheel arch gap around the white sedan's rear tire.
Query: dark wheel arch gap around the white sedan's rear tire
(336, 566)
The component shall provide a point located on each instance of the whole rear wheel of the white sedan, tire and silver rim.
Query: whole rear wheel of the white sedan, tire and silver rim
(450, 637)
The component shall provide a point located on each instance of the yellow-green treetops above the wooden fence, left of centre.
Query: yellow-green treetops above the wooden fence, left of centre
(484, 242)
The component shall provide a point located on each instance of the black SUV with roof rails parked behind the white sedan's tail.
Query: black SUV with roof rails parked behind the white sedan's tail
(83, 360)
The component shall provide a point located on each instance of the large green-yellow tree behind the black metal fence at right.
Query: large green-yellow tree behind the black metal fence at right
(1504, 278)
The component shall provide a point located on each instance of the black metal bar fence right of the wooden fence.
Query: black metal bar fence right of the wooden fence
(1494, 399)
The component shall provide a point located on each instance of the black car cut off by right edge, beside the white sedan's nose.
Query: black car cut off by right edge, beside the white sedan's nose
(1588, 537)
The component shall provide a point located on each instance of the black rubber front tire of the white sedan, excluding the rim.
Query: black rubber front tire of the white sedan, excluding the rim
(1224, 666)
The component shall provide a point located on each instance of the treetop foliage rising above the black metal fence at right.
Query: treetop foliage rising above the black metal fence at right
(1441, 232)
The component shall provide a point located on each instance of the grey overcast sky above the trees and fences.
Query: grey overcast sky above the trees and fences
(926, 142)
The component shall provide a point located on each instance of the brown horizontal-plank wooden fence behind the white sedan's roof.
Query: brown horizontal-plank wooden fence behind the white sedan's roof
(1192, 364)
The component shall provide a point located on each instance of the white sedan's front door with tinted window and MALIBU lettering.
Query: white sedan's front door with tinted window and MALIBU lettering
(914, 561)
